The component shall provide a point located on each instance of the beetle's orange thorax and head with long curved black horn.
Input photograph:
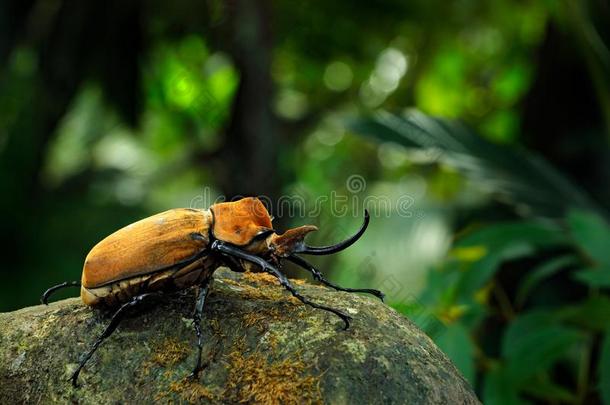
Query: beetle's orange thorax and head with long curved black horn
(247, 224)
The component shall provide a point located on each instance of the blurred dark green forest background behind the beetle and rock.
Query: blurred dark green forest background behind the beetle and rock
(113, 111)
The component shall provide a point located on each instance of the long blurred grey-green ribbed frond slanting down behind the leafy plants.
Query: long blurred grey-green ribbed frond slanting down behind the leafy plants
(517, 176)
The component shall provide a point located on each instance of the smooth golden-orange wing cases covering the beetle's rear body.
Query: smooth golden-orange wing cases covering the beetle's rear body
(146, 247)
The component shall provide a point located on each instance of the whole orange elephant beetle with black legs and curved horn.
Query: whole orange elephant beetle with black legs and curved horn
(181, 248)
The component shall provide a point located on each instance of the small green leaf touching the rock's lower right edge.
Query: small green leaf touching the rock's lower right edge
(456, 343)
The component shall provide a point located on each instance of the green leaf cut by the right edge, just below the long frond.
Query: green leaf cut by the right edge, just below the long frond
(591, 233)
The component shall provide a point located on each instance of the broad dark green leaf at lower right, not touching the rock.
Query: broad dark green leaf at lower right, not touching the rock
(533, 342)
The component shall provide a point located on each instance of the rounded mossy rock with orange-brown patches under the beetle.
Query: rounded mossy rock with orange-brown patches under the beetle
(261, 346)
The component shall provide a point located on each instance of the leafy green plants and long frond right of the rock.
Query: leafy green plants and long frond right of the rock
(524, 303)
